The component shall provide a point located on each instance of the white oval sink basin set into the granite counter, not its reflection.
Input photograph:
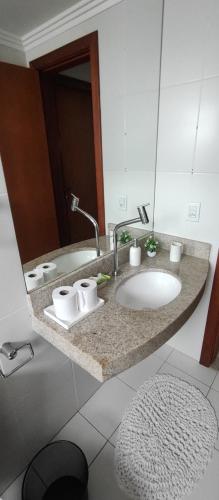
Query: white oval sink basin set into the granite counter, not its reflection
(148, 289)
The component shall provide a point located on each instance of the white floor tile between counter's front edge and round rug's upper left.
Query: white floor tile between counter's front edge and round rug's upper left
(137, 374)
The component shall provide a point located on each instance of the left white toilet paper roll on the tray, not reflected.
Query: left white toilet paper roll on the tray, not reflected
(65, 302)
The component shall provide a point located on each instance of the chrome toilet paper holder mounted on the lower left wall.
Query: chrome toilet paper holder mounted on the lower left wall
(10, 351)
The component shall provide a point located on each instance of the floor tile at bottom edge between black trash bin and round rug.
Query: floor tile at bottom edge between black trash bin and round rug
(102, 482)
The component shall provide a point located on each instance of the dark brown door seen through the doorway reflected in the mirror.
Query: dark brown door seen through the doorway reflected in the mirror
(75, 122)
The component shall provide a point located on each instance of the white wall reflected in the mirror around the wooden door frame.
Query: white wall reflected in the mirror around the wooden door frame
(129, 54)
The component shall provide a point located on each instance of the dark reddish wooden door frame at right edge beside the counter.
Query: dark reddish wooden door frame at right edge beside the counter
(210, 344)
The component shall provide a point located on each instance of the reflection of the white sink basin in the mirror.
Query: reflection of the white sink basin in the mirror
(70, 261)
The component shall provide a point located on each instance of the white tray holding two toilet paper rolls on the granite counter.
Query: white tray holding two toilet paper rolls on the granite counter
(73, 303)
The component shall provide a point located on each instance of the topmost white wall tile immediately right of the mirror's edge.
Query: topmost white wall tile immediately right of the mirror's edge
(185, 27)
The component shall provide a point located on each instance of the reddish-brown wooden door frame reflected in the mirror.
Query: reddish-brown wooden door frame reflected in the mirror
(82, 50)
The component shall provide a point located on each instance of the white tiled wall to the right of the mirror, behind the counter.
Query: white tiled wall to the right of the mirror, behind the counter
(188, 151)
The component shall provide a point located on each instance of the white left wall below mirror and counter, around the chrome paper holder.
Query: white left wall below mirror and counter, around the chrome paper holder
(41, 397)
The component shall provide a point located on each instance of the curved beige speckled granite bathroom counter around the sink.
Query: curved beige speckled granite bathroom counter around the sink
(114, 338)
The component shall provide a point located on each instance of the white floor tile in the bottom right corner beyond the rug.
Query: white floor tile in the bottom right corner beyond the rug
(208, 486)
